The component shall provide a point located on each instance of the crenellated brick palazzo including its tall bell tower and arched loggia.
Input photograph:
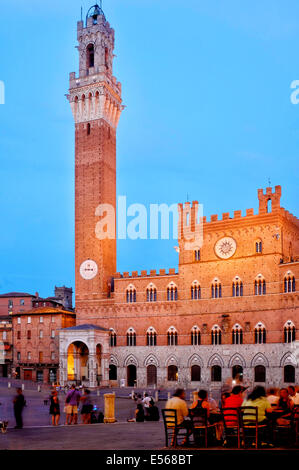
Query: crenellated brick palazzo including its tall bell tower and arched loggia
(230, 311)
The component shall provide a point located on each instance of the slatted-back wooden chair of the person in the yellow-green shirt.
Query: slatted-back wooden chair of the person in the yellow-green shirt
(249, 424)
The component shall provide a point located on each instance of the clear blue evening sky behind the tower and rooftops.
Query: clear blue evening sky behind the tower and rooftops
(208, 113)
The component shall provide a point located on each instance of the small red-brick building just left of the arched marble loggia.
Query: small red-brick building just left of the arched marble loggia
(35, 340)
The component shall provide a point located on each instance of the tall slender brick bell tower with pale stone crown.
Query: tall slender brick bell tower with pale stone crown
(95, 98)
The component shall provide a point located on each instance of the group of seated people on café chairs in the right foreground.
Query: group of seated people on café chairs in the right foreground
(273, 407)
